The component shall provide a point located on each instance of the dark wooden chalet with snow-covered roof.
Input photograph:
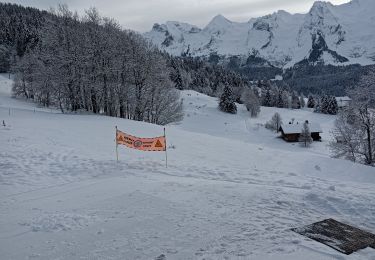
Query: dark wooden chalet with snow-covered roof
(291, 132)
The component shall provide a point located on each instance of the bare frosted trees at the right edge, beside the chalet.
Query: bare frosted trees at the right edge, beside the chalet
(354, 129)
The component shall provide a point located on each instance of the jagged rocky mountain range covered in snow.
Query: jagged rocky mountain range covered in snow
(340, 34)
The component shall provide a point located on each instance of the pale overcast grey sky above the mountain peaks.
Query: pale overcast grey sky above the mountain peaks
(140, 15)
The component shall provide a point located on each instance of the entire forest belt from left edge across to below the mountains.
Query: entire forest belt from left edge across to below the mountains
(91, 63)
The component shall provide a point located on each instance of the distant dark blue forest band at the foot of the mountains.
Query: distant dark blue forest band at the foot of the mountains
(304, 78)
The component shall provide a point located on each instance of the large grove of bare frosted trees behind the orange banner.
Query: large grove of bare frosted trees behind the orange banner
(91, 64)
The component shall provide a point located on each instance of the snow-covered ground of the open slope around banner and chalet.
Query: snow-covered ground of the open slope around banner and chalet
(232, 189)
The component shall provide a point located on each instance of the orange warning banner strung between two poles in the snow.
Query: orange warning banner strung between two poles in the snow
(143, 144)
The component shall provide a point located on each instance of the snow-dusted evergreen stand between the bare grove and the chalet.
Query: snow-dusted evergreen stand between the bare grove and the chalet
(211, 79)
